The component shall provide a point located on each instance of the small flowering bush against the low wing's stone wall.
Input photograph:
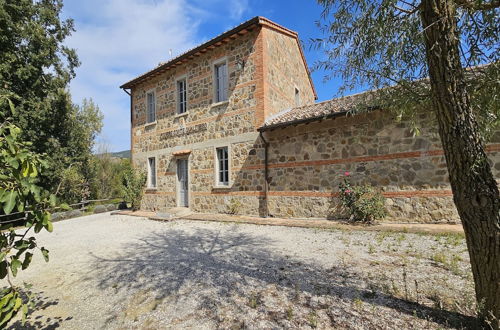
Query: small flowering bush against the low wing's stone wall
(363, 202)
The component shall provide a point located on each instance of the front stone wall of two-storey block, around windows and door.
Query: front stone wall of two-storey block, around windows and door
(204, 127)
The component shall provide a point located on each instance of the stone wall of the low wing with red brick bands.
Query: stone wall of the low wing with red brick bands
(307, 163)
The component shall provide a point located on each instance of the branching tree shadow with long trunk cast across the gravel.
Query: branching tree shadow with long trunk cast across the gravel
(165, 262)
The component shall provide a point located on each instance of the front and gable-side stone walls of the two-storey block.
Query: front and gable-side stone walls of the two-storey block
(208, 125)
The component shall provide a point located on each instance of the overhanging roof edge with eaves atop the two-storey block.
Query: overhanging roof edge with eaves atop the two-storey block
(217, 41)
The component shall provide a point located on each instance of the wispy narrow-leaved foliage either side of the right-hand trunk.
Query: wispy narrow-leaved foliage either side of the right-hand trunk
(378, 44)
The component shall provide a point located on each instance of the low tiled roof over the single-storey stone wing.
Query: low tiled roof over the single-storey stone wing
(317, 111)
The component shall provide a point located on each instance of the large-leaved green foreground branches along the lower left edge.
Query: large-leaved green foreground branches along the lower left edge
(20, 195)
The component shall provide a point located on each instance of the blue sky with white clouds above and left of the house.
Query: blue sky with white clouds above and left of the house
(117, 40)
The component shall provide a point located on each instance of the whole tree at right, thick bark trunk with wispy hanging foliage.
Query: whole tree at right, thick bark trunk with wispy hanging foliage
(442, 57)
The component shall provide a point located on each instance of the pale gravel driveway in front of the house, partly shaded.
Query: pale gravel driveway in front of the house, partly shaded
(128, 272)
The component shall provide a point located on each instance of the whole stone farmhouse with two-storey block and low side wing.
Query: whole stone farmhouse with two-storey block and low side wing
(234, 123)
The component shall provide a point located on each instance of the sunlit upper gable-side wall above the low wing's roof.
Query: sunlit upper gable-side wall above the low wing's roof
(284, 71)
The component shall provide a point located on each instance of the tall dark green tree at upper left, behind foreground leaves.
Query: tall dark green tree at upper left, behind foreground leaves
(35, 71)
